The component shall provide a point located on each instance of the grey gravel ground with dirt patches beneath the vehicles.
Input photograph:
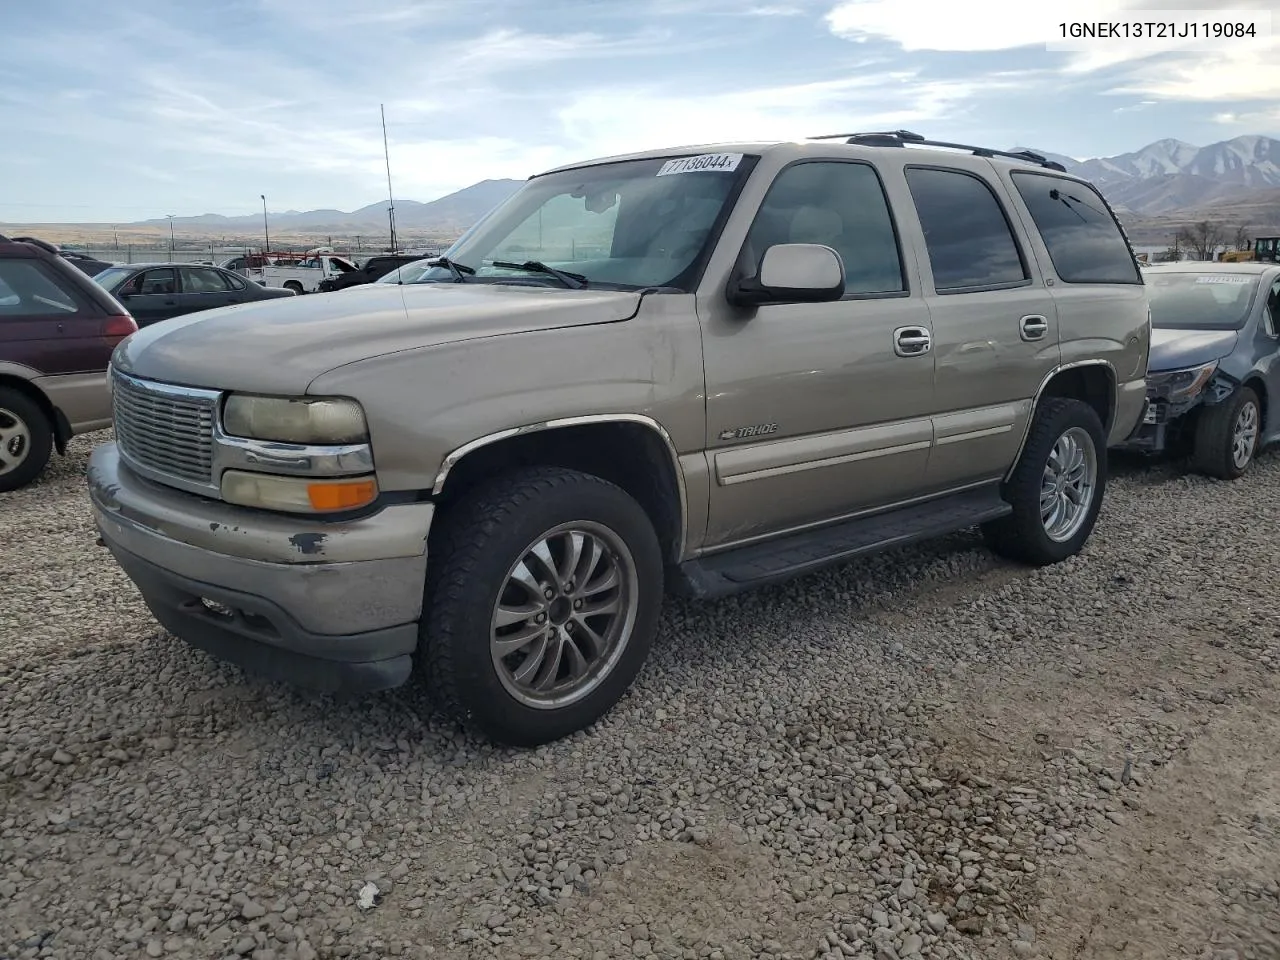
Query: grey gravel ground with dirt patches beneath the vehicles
(929, 755)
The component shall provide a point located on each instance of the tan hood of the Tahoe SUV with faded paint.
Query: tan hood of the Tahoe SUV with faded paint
(281, 346)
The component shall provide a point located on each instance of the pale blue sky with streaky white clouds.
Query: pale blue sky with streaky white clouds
(116, 113)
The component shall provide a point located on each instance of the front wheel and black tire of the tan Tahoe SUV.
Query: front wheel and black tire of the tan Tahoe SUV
(542, 605)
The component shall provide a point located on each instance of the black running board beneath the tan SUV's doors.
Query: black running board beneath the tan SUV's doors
(776, 561)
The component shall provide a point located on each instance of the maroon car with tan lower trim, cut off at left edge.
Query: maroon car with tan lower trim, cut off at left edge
(58, 330)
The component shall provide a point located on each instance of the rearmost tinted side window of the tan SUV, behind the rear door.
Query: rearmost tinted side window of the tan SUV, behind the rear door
(1084, 240)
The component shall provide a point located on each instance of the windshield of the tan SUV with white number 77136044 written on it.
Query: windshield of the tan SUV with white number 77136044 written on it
(625, 226)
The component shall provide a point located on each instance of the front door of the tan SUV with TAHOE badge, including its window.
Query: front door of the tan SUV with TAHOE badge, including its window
(817, 412)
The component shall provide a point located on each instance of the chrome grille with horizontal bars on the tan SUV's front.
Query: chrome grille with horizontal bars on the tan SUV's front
(166, 431)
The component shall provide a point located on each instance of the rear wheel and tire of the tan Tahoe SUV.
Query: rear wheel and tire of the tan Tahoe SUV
(1058, 487)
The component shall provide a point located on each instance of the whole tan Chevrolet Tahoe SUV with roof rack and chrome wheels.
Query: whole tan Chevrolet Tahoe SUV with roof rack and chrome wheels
(703, 369)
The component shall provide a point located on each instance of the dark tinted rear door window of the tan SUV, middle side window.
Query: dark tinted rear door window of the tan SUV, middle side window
(966, 231)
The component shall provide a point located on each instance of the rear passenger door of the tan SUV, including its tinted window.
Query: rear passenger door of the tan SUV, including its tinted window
(995, 322)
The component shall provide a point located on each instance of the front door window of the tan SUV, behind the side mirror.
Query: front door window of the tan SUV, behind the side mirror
(840, 205)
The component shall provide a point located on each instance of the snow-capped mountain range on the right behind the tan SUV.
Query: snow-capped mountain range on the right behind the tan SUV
(1172, 176)
